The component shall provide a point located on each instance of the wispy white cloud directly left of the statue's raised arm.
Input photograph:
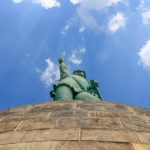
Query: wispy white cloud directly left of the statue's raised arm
(50, 74)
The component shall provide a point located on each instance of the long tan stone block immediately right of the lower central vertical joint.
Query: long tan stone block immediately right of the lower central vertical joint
(108, 136)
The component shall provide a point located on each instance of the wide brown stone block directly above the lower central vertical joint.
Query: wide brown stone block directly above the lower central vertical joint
(103, 123)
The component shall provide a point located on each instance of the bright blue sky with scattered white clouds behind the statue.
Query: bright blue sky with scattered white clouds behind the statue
(109, 39)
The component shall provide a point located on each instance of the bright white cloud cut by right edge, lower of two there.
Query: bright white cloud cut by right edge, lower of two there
(144, 55)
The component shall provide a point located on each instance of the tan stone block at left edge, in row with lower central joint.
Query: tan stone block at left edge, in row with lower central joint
(10, 137)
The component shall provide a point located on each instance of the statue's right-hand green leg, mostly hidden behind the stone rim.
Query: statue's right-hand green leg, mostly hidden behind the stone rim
(85, 96)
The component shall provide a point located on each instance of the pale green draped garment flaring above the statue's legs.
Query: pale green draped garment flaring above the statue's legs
(77, 83)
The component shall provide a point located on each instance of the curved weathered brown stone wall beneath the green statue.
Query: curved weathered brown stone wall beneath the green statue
(75, 125)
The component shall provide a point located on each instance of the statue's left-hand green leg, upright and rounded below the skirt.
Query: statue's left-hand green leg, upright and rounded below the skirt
(63, 92)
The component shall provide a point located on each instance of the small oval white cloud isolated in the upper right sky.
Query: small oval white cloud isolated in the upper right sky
(116, 22)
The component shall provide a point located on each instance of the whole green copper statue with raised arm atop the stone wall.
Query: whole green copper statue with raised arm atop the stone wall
(74, 86)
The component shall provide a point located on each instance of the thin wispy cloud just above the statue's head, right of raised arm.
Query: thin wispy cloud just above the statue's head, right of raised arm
(75, 57)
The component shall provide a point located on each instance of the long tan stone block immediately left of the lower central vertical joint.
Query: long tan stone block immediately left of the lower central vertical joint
(52, 134)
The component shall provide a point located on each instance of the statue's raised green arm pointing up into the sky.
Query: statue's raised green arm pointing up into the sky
(63, 68)
